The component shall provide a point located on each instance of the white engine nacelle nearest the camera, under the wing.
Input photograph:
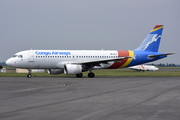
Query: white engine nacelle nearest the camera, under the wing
(72, 69)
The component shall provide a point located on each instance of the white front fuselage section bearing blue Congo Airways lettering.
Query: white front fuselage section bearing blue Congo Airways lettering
(55, 59)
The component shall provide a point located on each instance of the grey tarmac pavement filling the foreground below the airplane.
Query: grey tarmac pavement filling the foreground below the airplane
(99, 98)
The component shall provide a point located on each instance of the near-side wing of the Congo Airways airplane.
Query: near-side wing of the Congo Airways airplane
(98, 62)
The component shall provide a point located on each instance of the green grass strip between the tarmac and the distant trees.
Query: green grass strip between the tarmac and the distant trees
(116, 72)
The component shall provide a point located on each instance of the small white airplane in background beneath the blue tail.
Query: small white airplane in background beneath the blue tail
(144, 68)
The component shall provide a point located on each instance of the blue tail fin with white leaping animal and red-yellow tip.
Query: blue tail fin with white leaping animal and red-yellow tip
(152, 41)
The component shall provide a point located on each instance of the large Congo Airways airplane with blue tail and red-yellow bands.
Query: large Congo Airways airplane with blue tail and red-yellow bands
(74, 62)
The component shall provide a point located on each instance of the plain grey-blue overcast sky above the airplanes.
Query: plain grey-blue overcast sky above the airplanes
(87, 25)
